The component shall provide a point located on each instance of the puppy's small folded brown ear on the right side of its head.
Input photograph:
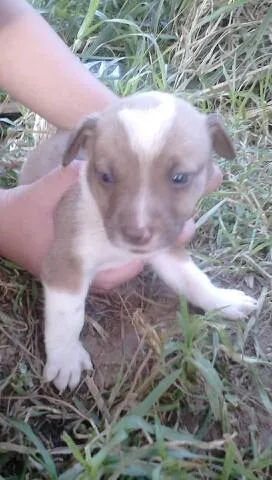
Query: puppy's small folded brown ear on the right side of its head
(220, 140)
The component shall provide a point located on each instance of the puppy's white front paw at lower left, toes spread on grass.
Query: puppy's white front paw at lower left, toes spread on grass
(65, 365)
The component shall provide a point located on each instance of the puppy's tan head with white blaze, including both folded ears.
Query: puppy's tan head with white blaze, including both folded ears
(149, 163)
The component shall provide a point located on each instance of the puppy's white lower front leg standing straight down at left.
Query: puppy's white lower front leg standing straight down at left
(64, 319)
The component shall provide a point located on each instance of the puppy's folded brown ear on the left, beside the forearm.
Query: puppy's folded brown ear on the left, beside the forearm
(78, 140)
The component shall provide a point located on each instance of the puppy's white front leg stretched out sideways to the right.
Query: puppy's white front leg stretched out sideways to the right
(181, 274)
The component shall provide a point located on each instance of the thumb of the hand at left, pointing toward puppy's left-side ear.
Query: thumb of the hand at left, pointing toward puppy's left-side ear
(52, 186)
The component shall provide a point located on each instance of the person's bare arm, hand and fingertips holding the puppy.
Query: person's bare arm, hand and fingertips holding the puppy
(47, 78)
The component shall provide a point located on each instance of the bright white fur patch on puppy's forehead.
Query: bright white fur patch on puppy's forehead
(147, 127)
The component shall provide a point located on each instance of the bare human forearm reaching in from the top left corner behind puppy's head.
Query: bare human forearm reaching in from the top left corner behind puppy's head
(47, 78)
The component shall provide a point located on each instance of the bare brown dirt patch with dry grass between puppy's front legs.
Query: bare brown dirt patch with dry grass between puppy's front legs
(121, 327)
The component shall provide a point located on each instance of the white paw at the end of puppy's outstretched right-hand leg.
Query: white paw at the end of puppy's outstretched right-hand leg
(235, 303)
